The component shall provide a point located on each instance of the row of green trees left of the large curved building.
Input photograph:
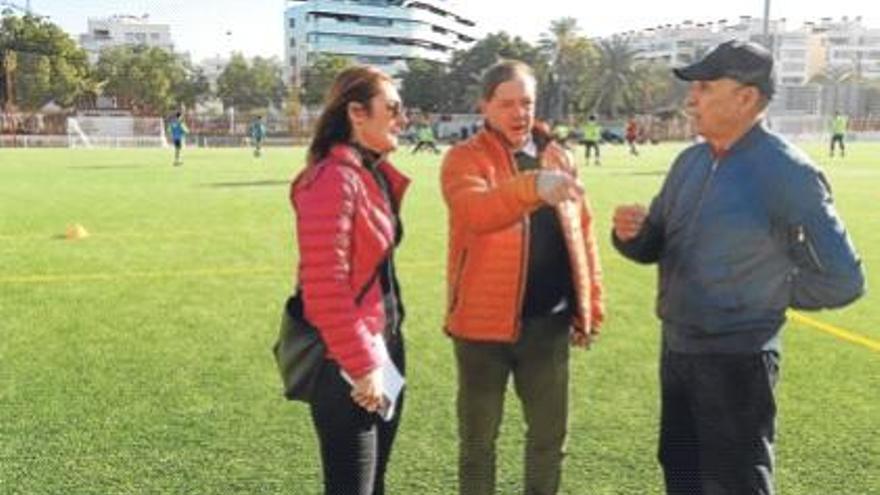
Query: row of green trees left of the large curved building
(40, 63)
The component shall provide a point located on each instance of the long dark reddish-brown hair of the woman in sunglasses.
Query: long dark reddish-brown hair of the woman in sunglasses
(356, 84)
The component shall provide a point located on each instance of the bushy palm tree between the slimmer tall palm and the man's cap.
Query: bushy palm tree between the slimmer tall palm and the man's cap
(616, 75)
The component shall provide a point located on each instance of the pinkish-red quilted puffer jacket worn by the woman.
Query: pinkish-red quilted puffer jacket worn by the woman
(345, 229)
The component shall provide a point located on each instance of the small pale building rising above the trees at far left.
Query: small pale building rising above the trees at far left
(120, 30)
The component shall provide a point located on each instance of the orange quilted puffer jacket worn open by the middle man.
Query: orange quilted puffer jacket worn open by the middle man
(489, 203)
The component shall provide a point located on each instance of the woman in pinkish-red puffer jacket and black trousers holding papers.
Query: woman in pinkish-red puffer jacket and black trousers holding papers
(347, 204)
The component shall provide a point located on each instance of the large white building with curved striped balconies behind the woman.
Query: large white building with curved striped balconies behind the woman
(384, 33)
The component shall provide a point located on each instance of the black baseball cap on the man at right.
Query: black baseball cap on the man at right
(743, 61)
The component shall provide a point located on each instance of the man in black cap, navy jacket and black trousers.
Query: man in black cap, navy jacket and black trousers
(743, 228)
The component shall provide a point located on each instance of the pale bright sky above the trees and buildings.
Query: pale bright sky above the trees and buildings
(207, 28)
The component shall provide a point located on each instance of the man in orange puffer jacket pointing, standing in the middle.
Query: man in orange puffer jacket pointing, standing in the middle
(523, 280)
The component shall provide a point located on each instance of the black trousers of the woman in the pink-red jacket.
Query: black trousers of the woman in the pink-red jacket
(355, 444)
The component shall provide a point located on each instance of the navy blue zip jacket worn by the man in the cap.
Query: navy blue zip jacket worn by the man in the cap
(739, 239)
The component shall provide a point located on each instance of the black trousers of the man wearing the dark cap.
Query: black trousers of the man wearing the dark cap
(717, 423)
